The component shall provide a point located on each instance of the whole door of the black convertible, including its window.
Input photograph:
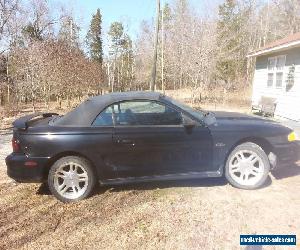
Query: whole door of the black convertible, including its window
(150, 139)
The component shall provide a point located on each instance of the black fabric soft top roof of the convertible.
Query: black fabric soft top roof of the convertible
(85, 113)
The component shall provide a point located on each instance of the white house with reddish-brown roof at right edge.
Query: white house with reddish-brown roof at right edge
(277, 77)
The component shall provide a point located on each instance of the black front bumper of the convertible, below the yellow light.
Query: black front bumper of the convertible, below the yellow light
(287, 154)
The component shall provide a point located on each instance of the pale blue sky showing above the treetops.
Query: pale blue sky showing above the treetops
(130, 12)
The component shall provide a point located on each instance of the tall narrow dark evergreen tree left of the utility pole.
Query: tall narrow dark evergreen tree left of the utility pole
(94, 39)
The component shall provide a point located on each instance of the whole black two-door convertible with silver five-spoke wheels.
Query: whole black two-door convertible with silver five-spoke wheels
(144, 136)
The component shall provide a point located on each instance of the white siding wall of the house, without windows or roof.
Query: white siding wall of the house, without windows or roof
(287, 102)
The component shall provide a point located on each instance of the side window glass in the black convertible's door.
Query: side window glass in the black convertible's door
(146, 113)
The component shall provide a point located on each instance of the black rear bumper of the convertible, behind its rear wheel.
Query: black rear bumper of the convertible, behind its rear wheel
(19, 171)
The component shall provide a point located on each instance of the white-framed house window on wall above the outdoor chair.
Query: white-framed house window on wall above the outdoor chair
(275, 71)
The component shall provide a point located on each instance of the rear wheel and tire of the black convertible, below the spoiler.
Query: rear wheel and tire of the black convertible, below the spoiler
(71, 179)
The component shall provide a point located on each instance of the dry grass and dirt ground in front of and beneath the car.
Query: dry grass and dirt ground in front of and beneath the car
(202, 214)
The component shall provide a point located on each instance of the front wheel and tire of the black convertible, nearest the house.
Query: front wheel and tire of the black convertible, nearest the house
(247, 166)
